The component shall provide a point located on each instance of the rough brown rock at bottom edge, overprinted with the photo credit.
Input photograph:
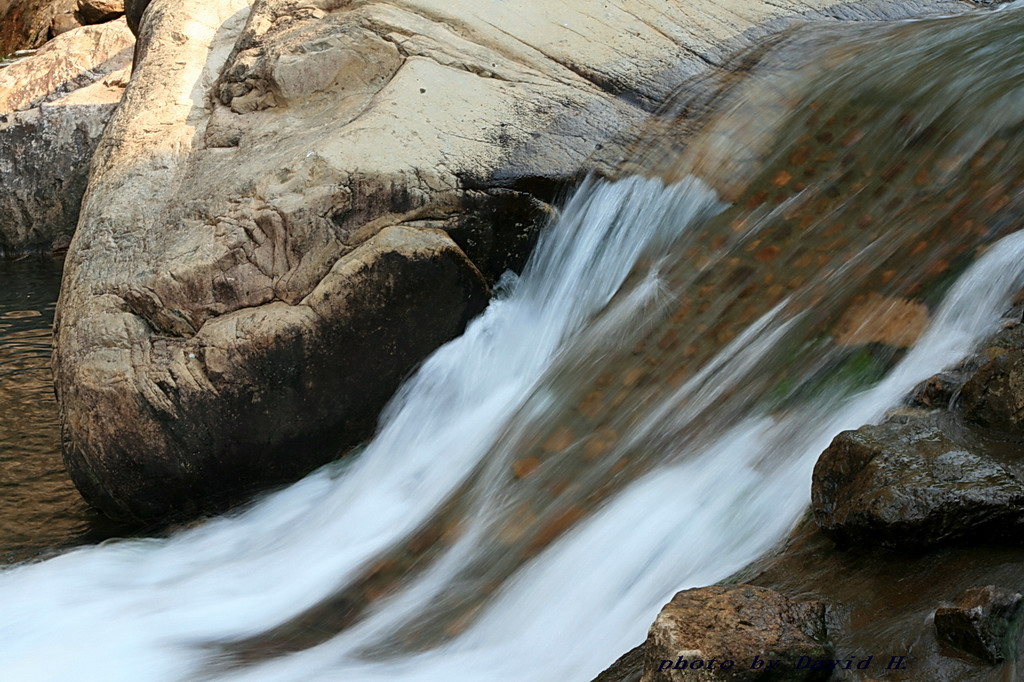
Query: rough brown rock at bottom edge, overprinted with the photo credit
(724, 632)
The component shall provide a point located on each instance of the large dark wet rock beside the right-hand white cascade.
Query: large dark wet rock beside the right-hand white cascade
(907, 484)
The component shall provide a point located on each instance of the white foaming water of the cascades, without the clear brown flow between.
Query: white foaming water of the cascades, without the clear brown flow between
(144, 611)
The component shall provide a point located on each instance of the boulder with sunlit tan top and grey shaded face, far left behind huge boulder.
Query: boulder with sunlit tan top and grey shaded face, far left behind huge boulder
(54, 109)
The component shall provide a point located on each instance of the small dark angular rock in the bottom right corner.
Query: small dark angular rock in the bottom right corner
(987, 622)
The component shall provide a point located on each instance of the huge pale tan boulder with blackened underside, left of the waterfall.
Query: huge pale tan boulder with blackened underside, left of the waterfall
(260, 148)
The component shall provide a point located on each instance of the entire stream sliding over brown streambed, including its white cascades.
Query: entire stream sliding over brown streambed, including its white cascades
(638, 413)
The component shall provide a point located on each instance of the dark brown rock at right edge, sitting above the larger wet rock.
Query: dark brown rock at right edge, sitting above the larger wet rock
(995, 396)
